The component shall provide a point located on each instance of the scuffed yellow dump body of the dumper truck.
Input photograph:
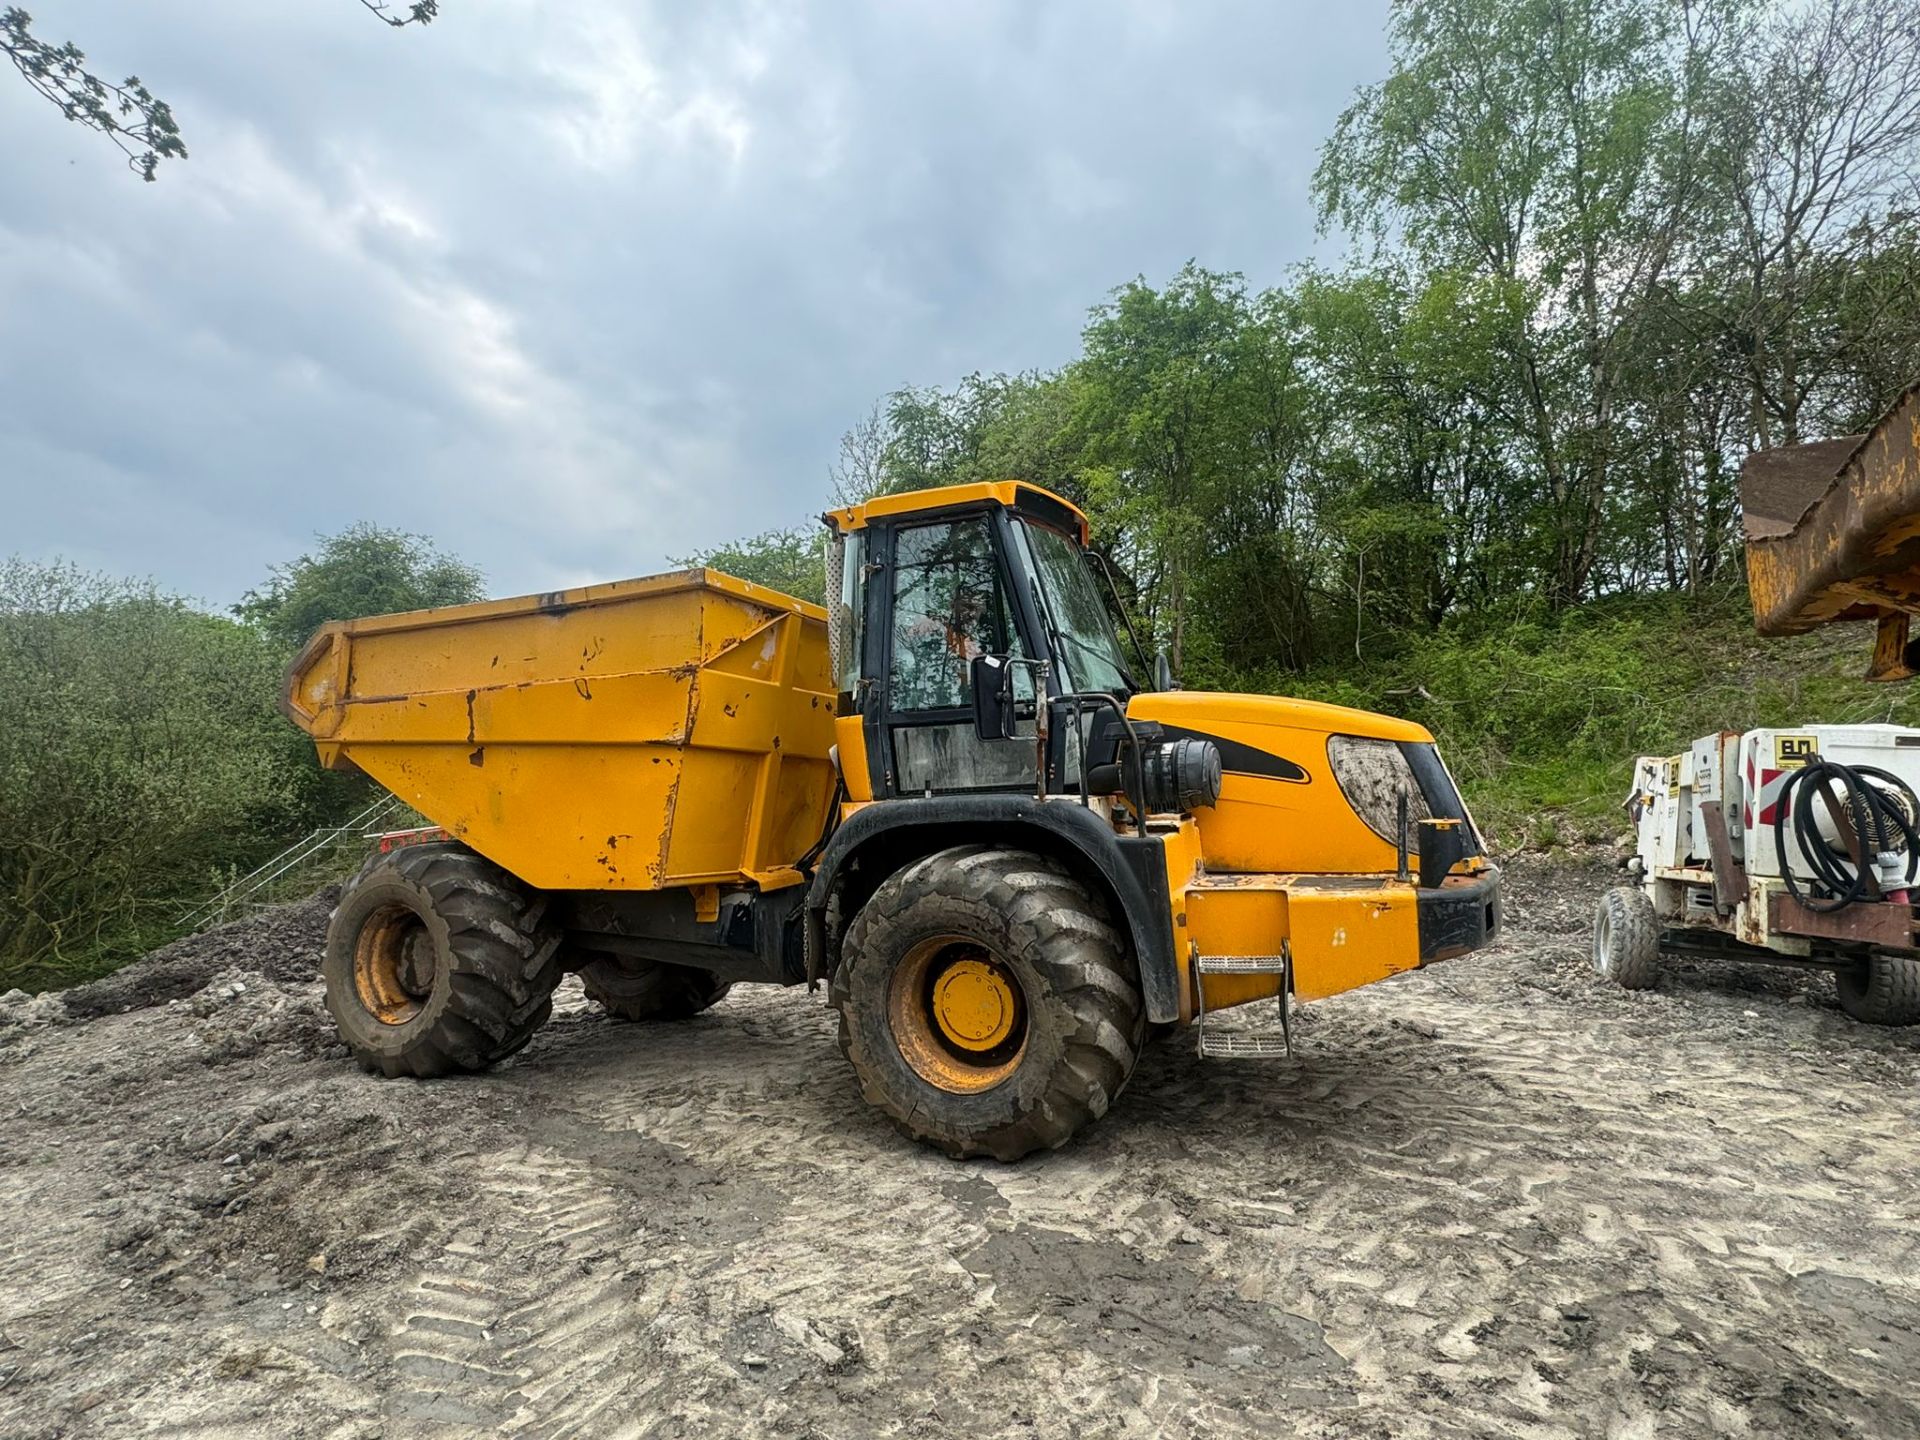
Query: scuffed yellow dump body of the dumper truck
(629, 736)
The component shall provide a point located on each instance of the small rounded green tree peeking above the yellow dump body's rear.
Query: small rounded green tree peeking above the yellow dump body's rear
(360, 571)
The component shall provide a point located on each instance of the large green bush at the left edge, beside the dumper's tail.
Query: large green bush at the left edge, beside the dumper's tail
(139, 757)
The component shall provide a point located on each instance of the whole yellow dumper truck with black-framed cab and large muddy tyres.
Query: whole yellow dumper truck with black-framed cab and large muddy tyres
(953, 796)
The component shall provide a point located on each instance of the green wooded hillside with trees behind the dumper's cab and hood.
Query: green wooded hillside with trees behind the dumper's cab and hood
(1485, 471)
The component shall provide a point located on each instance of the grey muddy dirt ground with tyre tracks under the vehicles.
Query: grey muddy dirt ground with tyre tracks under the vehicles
(1491, 1199)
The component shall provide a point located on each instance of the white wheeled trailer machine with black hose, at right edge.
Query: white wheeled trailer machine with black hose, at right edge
(1779, 846)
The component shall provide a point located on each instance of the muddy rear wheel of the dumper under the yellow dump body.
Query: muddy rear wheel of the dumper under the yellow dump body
(439, 961)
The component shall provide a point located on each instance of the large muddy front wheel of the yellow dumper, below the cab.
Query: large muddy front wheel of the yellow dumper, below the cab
(988, 1005)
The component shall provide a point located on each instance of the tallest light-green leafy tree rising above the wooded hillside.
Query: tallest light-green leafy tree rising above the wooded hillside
(1558, 145)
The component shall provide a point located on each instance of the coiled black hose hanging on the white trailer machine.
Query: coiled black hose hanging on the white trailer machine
(1873, 807)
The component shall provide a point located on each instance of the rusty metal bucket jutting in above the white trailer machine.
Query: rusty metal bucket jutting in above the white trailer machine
(1835, 527)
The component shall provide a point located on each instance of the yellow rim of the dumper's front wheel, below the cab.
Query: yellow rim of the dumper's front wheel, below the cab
(957, 1015)
